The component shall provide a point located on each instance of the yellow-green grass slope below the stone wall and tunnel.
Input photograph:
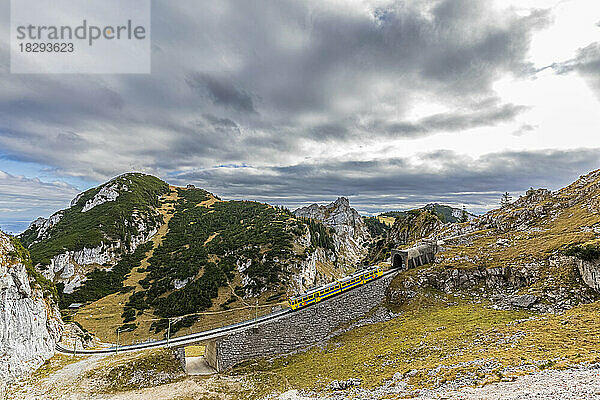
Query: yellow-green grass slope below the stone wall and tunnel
(447, 335)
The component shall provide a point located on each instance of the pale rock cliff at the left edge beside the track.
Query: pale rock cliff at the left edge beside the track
(30, 323)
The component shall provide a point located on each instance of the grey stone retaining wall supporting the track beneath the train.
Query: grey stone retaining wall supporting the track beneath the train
(301, 328)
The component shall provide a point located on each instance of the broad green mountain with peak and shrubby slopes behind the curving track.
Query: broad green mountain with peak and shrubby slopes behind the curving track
(146, 251)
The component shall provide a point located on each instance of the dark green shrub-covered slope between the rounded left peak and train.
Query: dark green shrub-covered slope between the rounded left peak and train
(242, 246)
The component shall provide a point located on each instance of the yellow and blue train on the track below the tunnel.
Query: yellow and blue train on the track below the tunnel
(337, 287)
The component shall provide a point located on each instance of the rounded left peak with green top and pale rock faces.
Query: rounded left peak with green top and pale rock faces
(102, 225)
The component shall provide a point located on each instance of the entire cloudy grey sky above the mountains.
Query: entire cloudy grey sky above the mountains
(394, 104)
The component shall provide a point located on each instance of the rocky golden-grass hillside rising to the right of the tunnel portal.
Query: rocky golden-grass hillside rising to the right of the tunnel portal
(534, 231)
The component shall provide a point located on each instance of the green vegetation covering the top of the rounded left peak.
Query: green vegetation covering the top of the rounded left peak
(109, 222)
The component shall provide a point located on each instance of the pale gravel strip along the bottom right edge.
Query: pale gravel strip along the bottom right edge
(580, 383)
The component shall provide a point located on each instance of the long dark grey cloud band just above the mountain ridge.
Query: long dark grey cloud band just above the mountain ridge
(378, 185)
